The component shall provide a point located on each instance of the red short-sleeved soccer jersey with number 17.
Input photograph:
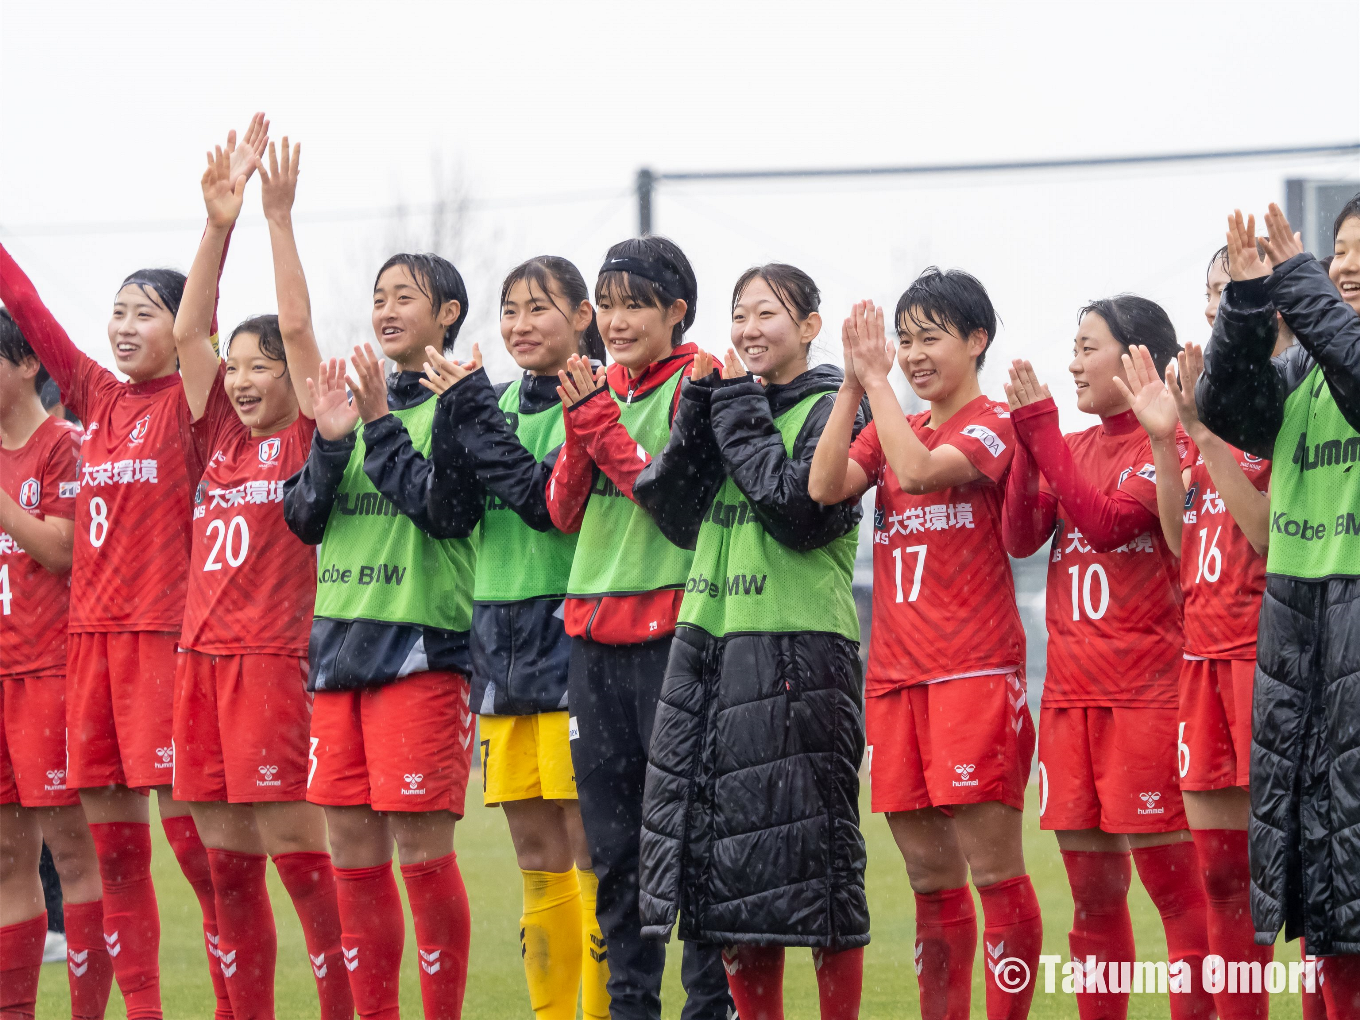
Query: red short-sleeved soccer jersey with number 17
(945, 600)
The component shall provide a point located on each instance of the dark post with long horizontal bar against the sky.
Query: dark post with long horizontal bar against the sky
(649, 179)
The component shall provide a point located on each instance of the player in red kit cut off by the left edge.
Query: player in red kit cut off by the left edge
(37, 505)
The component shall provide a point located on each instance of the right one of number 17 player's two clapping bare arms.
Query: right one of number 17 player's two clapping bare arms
(919, 470)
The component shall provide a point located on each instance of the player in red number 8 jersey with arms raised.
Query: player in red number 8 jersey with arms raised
(139, 464)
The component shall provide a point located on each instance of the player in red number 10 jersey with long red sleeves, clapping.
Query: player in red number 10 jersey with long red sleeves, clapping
(1108, 775)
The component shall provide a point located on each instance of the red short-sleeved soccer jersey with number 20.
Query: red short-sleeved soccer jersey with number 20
(252, 583)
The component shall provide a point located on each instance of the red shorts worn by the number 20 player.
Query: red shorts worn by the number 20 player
(241, 727)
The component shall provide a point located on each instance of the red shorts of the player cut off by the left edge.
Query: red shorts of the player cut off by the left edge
(33, 743)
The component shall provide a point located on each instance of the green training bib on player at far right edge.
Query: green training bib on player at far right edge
(1314, 488)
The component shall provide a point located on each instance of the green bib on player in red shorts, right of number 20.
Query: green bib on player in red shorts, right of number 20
(376, 565)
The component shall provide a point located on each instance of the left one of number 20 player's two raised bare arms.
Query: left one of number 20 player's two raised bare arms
(224, 188)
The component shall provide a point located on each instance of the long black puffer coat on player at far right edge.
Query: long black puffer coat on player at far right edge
(1305, 830)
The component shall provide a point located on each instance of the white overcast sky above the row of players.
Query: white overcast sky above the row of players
(543, 112)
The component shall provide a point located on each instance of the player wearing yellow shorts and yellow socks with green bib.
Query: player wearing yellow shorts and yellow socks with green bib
(504, 441)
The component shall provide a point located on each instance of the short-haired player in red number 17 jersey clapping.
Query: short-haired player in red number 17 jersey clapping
(949, 730)
